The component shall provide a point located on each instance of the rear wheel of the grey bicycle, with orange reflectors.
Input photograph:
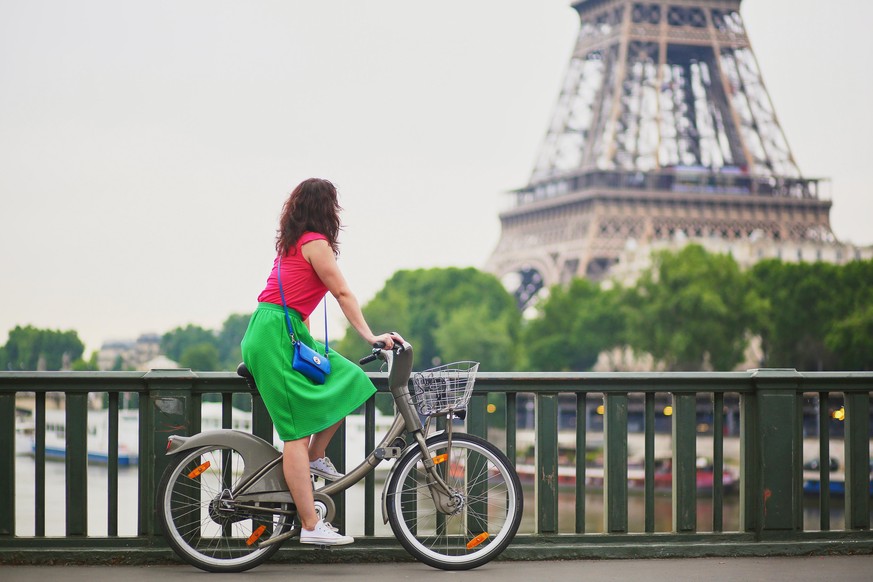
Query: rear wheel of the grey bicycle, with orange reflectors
(202, 522)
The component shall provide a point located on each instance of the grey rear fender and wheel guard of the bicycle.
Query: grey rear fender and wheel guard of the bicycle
(255, 451)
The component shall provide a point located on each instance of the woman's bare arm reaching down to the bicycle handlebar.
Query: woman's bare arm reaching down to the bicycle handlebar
(321, 257)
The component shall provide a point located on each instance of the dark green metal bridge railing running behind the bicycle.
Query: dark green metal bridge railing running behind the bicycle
(771, 406)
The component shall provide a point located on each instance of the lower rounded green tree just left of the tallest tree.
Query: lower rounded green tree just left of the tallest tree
(574, 324)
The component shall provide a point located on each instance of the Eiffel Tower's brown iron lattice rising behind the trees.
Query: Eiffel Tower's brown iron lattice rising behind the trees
(663, 128)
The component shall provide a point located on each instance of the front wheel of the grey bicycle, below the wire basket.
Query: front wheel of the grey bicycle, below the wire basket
(487, 503)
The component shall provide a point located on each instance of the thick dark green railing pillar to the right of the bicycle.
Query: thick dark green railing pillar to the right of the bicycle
(774, 438)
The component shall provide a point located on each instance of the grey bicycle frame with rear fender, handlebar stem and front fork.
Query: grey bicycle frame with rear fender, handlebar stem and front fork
(263, 480)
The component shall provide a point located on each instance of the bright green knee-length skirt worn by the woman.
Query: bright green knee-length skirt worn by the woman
(298, 406)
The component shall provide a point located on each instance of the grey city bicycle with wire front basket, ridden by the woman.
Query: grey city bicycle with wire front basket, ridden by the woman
(454, 500)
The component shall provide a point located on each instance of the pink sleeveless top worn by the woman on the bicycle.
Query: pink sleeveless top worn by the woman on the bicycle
(303, 288)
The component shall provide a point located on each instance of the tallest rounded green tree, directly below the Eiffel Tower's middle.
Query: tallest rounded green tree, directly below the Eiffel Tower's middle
(693, 310)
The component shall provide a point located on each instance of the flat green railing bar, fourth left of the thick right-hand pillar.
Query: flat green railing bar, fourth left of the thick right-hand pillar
(615, 518)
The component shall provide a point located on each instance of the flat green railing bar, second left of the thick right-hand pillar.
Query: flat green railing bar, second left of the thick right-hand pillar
(684, 462)
